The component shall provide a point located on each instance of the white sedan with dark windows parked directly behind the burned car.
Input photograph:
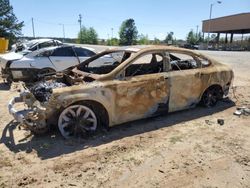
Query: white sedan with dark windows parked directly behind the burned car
(44, 61)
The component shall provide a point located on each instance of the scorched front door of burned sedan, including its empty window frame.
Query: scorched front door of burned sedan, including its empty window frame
(144, 90)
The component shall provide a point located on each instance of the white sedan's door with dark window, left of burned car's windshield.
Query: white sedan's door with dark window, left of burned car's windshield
(63, 58)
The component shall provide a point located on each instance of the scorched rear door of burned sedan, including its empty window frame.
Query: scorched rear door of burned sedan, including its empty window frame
(185, 82)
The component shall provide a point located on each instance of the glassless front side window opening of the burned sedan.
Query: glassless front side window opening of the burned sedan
(146, 64)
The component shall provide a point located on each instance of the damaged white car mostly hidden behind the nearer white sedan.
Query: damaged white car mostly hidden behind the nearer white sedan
(33, 45)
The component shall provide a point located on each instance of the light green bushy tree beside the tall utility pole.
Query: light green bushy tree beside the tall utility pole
(88, 36)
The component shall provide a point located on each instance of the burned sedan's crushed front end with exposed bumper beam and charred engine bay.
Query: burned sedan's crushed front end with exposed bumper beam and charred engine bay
(37, 112)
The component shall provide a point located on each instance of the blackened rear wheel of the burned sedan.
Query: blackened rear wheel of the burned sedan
(211, 96)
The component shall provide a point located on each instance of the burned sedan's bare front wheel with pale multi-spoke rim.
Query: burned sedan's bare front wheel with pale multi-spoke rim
(77, 120)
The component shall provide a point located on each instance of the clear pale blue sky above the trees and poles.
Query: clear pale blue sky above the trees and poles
(152, 17)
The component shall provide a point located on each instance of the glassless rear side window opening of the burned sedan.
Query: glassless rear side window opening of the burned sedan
(180, 61)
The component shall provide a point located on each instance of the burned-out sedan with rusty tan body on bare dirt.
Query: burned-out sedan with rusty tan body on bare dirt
(141, 83)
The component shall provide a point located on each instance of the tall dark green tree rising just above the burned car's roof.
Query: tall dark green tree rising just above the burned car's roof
(128, 32)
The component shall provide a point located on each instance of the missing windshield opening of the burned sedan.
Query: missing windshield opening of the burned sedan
(104, 63)
